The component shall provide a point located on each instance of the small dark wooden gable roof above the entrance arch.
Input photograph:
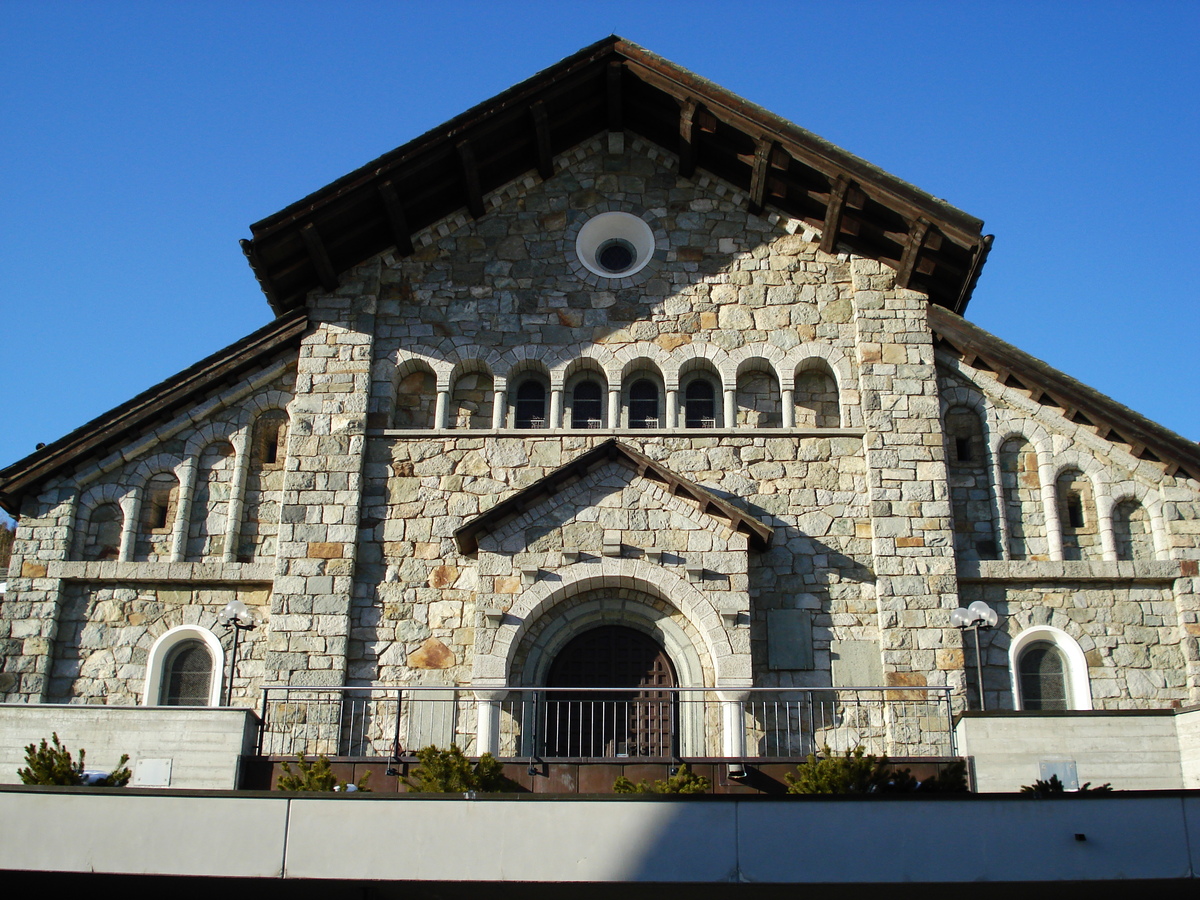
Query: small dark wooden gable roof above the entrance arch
(613, 451)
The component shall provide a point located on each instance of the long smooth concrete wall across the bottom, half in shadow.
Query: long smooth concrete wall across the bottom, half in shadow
(801, 841)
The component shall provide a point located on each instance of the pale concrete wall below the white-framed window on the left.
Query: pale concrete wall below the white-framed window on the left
(185, 748)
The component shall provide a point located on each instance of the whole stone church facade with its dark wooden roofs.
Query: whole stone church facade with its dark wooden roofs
(758, 433)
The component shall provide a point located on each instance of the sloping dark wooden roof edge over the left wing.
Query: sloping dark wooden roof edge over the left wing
(146, 412)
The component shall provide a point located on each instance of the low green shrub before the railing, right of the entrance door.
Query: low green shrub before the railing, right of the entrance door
(859, 772)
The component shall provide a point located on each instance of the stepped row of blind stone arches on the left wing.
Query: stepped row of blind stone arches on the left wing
(218, 502)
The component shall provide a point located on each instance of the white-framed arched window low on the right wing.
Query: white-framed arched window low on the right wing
(1049, 671)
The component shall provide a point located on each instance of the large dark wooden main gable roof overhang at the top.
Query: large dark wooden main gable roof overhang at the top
(617, 86)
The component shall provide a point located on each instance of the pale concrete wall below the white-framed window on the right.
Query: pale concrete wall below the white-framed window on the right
(1133, 751)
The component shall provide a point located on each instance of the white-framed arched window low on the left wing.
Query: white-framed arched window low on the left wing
(184, 669)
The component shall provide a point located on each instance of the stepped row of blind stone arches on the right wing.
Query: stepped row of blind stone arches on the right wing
(1011, 501)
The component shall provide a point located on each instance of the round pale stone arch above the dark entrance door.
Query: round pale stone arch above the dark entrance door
(729, 656)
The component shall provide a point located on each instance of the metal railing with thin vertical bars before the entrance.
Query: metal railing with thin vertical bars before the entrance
(607, 723)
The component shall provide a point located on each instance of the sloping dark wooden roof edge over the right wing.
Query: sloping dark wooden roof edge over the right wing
(1077, 403)
